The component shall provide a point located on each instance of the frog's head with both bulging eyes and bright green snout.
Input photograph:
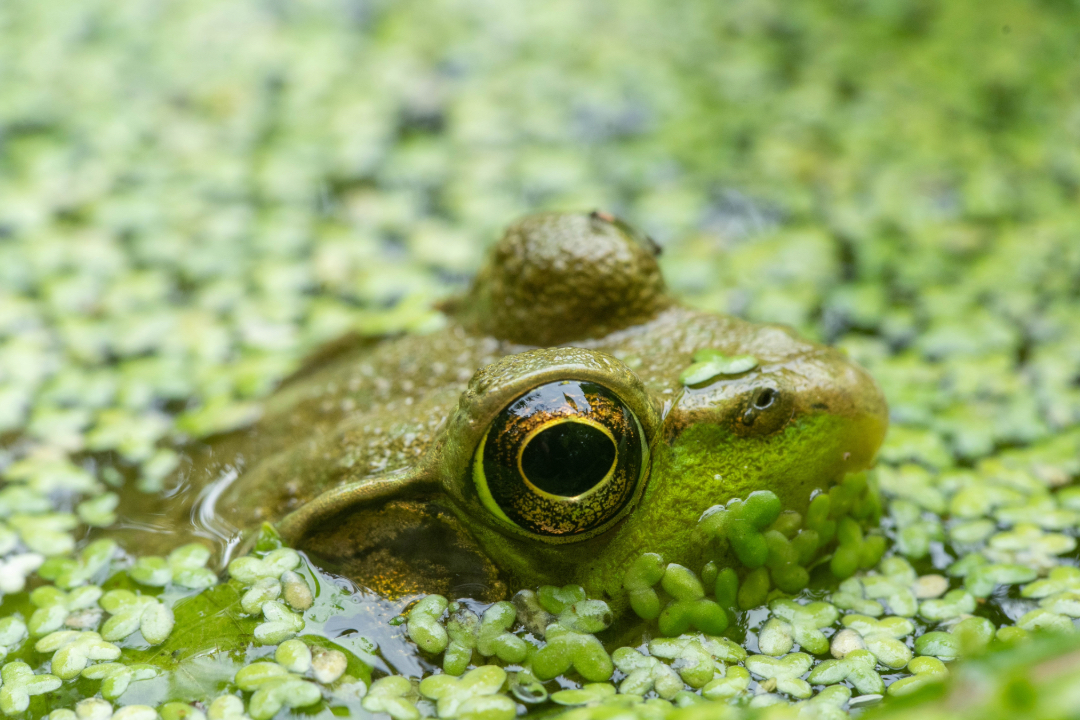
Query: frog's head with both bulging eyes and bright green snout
(618, 418)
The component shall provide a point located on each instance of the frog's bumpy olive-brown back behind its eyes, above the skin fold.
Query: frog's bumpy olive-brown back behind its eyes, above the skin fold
(374, 409)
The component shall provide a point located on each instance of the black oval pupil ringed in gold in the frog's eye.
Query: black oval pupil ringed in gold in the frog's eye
(569, 459)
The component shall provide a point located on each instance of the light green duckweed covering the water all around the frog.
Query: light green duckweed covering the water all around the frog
(194, 196)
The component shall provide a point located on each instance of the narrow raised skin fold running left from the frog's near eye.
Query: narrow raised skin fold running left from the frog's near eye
(369, 491)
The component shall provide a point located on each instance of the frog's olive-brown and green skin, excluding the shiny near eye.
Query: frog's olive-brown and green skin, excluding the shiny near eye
(372, 434)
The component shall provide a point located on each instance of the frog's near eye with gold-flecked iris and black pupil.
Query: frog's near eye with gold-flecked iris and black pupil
(561, 460)
